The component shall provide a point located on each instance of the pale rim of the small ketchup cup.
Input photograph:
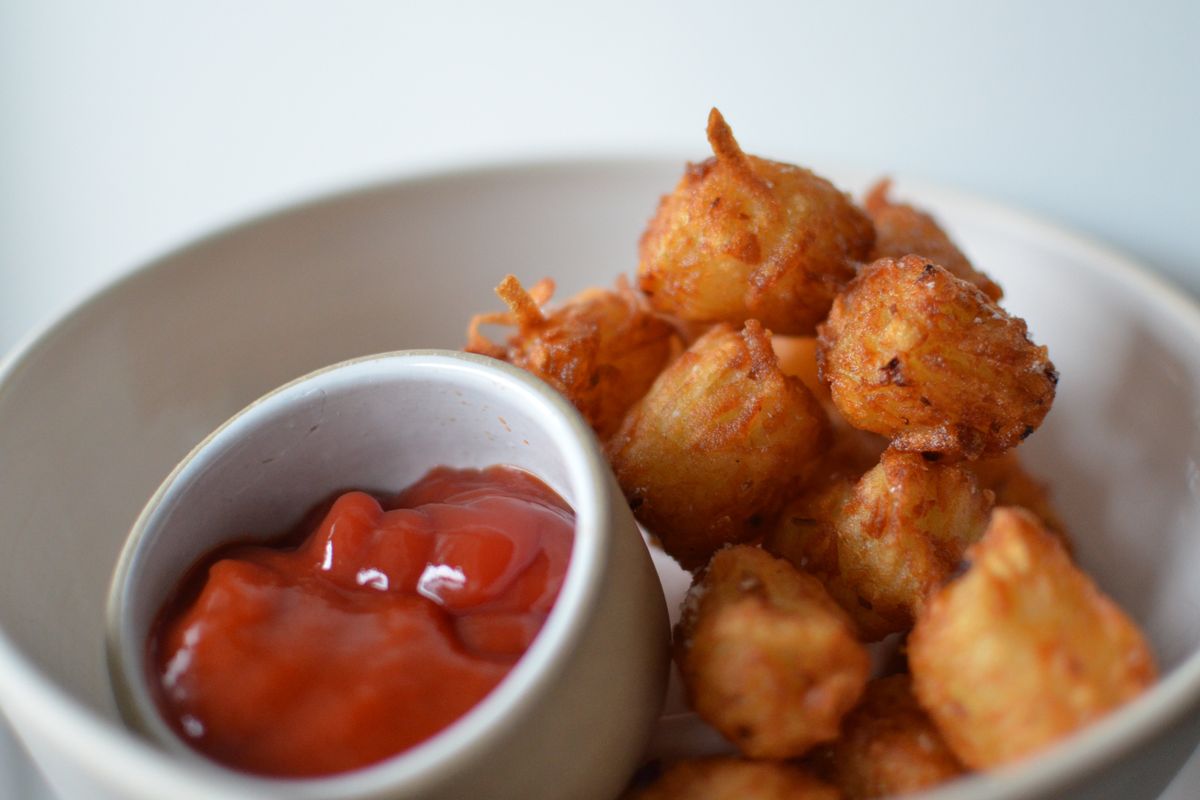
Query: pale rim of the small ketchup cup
(525, 685)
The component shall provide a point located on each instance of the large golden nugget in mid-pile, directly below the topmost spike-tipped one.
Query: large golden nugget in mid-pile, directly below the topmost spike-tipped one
(718, 444)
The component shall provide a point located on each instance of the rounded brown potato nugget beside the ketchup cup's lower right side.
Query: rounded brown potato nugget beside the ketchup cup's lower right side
(767, 658)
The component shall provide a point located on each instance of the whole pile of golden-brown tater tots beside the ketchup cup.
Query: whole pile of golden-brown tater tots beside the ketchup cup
(814, 406)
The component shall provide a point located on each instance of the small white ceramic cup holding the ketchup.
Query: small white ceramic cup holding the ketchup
(379, 424)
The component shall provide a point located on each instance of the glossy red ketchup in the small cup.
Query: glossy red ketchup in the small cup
(379, 631)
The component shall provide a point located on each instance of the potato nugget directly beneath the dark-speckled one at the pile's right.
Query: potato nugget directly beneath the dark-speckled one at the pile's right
(883, 545)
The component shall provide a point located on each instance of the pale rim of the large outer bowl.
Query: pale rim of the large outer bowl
(92, 741)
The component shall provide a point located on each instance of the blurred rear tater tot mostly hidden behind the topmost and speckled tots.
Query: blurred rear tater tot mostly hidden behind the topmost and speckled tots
(903, 231)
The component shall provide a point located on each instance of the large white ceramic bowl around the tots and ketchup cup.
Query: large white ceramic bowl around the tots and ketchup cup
(97, 410)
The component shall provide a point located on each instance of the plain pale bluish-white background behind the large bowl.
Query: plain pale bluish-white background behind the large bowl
(129, 128)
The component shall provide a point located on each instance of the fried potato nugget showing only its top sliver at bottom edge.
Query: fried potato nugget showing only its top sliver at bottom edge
(735, 779)
